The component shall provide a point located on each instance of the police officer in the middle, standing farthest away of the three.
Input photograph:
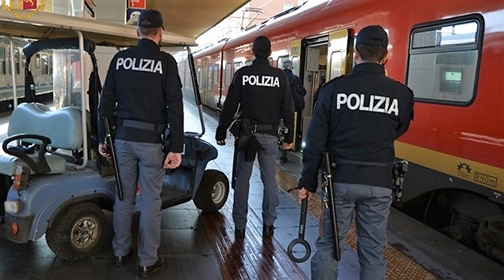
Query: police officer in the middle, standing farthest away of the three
(262, 93)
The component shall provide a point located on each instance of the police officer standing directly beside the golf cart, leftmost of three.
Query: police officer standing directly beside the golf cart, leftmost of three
(144, 89)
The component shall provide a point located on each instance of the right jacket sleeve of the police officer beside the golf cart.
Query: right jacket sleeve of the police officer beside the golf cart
(174, 107)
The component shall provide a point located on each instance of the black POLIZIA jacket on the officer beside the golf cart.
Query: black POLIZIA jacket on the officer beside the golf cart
(144, 83)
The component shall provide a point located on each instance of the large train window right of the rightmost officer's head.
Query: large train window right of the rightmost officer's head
(444, 60)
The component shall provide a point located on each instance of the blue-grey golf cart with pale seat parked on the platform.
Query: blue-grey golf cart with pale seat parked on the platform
(54, 183)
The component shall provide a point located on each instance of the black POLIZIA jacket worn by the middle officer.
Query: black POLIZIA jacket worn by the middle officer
(263, 94)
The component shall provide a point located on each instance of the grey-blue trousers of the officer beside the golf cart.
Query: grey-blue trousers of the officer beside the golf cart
(142, 163)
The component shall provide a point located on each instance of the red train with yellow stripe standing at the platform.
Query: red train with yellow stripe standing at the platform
(449, 52)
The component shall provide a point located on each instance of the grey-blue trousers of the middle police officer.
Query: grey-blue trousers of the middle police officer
(267, 163)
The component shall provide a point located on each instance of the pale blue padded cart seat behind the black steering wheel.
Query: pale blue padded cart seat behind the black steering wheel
(36, 124)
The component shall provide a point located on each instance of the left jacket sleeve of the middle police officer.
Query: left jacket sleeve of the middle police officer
(230, 107)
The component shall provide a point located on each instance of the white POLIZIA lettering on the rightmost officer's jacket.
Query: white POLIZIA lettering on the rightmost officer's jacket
(373, 103)
